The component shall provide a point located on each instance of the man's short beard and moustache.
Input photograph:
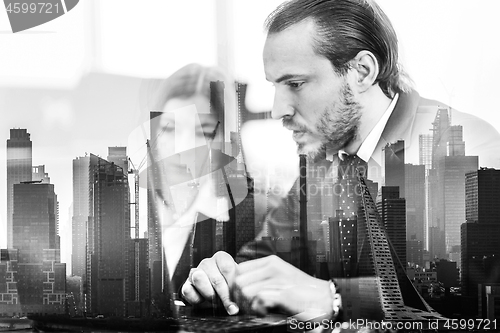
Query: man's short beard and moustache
(337, 125)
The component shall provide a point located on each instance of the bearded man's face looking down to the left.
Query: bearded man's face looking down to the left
(313, 101)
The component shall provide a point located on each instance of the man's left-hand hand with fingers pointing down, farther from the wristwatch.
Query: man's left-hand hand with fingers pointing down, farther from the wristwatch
(213, 277)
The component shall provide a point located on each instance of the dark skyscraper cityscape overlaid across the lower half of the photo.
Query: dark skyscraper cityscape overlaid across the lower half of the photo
(439, 217)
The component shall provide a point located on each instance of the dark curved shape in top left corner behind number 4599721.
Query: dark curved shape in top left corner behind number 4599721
(24, 14)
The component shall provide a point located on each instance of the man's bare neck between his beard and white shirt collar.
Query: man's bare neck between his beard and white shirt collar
(373, 103)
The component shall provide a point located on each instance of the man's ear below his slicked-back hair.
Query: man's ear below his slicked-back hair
(365, 67)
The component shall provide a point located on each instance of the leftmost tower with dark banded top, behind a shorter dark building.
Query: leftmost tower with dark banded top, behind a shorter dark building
(19, 163)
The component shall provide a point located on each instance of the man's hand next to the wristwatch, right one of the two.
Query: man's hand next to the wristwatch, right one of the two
(271, 283)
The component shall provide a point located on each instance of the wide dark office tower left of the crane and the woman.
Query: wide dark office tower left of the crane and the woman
(101, 232)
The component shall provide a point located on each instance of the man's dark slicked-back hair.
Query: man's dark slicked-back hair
(344, 28)
